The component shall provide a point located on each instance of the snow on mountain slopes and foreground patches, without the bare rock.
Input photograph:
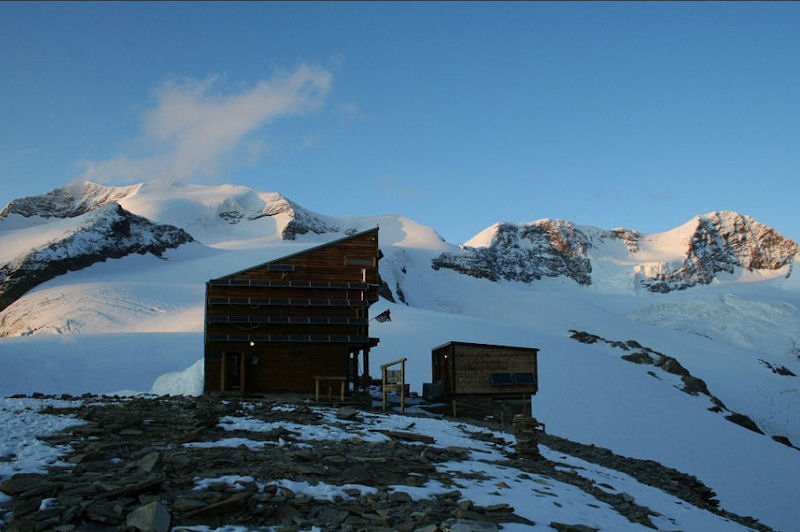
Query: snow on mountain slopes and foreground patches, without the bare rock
(135, 324)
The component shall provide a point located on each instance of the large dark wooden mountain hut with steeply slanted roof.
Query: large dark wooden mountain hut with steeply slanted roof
(278, 326)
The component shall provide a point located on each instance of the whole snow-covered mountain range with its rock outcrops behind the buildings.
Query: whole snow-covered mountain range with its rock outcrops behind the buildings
(713, 306)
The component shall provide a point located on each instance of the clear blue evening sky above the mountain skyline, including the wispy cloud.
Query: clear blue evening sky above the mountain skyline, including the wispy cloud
(456, 115)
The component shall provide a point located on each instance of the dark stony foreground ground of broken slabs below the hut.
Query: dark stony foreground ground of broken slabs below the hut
(143, 464)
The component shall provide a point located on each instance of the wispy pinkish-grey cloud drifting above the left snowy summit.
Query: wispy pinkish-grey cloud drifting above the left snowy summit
(193, 129)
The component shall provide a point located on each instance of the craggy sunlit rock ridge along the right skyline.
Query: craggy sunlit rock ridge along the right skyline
(721, 243)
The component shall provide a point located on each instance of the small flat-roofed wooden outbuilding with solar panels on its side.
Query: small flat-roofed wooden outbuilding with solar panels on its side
(486, 377)
